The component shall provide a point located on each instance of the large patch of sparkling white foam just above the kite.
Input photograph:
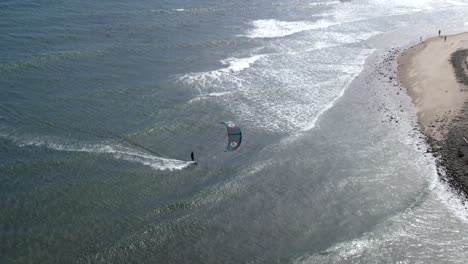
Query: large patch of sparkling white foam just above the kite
(288, 97)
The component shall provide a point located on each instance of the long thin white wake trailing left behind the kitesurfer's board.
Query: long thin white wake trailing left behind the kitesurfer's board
(117, 151)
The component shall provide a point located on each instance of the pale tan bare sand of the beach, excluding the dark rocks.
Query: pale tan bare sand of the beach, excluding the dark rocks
(426, 72)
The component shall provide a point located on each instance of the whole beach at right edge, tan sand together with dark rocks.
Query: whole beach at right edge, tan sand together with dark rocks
(434, 73)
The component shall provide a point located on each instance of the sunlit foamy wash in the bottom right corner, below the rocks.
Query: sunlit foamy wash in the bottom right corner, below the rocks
(415, 223)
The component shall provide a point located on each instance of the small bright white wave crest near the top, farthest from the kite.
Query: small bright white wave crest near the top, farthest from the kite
(272, 28)
